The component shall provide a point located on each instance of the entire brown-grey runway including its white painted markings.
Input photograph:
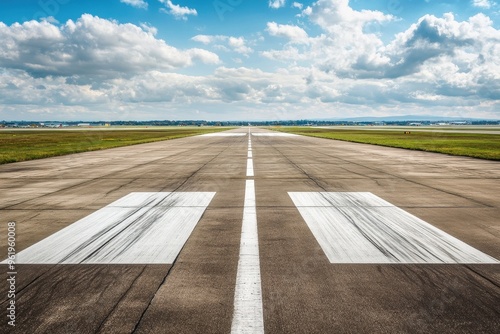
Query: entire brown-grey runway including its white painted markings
(250, 233)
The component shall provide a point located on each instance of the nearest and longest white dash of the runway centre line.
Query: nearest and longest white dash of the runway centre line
(248, 314)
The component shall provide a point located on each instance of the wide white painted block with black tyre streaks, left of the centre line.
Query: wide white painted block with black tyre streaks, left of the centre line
(143, 228)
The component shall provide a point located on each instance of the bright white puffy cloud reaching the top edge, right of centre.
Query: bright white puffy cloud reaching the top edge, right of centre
(343, 44)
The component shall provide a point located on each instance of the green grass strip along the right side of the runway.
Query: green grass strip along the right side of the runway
(484, 146)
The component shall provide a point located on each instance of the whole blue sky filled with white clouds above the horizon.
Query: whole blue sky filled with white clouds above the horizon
(111, 60)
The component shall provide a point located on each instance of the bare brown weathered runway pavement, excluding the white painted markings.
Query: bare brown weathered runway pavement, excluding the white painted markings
(302, 291)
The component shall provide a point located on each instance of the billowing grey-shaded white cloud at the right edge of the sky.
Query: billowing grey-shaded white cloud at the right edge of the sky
(469, 45)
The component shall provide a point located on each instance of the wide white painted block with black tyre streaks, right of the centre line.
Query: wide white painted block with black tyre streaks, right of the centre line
(363, 228)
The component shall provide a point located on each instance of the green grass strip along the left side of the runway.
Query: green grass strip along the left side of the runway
(22, 145)
